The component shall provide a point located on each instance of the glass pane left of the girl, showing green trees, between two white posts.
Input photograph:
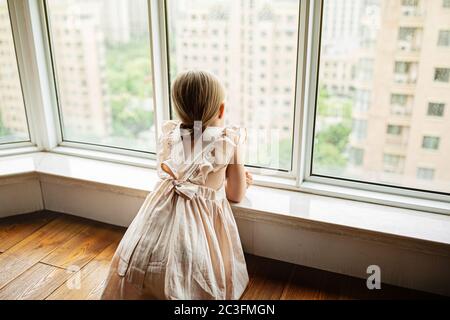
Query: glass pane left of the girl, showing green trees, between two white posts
(102, 59)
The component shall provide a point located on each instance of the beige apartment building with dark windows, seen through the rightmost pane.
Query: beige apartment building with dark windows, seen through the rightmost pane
(404, 123)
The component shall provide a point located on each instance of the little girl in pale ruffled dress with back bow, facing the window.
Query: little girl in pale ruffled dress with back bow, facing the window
(184, 243)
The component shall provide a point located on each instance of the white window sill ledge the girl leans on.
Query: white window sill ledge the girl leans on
(419, 229)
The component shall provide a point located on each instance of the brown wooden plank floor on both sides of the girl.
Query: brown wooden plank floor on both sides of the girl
(45, 255)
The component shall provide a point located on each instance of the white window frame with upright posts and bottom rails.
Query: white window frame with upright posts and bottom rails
(35, 65)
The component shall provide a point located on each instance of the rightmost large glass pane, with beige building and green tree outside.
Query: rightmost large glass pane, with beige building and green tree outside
(384, 94)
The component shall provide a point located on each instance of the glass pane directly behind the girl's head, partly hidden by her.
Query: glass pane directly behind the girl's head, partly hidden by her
(252, 47)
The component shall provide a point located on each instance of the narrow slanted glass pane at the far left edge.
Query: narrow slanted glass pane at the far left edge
(13, 120)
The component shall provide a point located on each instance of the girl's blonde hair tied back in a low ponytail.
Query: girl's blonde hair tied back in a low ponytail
(197, 96)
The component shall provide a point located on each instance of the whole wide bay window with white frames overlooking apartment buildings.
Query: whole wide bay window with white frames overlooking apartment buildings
(366, 111)
